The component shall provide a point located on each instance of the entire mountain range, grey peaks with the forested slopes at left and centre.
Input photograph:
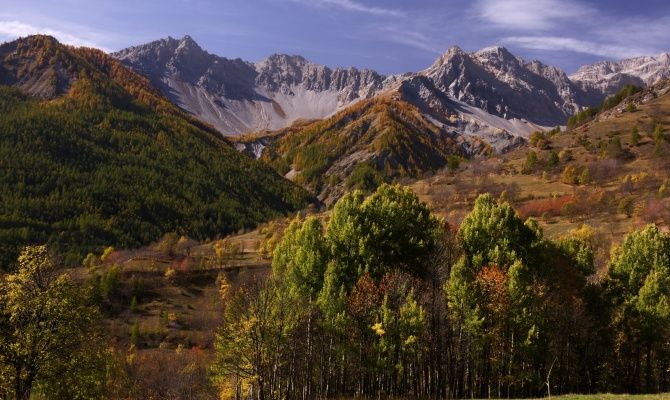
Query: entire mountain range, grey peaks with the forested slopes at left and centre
(152, 132)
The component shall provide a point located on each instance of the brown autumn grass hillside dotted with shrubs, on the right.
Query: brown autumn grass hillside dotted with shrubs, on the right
(451, 195)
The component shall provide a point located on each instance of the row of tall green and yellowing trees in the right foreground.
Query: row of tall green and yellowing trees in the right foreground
(386, 300)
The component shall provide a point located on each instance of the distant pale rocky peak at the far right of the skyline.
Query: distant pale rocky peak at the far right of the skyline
(608, 77)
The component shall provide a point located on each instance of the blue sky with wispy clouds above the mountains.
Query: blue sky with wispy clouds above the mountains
(390, 36)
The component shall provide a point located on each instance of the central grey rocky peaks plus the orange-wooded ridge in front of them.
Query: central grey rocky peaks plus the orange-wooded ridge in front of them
(478, 102)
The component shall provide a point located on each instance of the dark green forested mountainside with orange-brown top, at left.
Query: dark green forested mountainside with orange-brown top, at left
(92, 155)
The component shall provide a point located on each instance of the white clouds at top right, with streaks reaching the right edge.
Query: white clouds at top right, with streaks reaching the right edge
(542, 25)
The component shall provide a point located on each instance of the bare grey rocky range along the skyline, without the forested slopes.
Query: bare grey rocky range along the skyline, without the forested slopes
(490, 93)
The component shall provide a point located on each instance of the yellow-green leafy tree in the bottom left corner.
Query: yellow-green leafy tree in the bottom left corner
(48, 333)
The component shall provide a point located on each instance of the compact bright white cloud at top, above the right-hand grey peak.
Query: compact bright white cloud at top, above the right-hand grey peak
(530, 14)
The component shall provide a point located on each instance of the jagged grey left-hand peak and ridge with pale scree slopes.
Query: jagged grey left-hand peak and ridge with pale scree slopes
(236, 96)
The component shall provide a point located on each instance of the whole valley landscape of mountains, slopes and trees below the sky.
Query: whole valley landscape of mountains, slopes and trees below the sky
(488, 227)
